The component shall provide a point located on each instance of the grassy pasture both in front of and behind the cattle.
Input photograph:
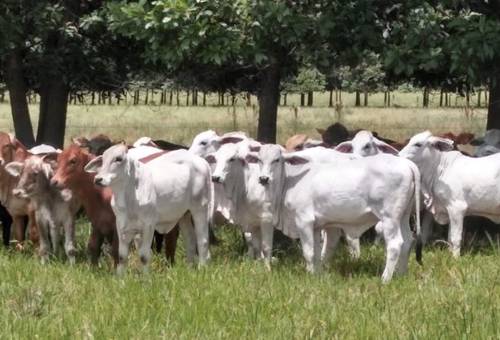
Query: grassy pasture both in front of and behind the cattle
(235, 297)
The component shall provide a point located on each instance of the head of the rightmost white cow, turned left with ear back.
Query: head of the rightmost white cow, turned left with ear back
(424, 145)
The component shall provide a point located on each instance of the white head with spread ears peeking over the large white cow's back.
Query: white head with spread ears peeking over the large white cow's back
(365, 144)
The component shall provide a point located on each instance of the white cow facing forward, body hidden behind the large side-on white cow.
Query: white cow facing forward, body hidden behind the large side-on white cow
(249, 195)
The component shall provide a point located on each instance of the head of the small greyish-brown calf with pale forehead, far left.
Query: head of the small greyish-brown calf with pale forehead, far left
(34, 176)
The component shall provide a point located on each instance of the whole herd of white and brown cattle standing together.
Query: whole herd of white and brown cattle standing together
(316, 191)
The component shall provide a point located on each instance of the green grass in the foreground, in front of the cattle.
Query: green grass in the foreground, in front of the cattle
(237, 298)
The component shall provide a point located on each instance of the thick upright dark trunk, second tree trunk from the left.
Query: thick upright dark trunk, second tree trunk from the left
(53, 107)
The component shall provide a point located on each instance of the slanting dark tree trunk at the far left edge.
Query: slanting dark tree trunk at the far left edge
(19, 105)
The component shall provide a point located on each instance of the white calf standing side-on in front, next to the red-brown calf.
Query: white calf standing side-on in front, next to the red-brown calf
(157, 195)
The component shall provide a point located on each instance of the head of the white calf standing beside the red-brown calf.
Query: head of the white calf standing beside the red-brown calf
(111, 167)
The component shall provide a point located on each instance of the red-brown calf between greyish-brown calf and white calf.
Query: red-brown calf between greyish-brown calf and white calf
(95, 200)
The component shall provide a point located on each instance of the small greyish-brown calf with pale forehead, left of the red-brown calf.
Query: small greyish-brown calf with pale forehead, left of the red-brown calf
(55, 209)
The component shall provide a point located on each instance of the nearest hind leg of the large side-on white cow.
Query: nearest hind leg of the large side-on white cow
(393, 243)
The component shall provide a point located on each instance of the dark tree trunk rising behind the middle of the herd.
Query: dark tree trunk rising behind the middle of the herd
(268, 96)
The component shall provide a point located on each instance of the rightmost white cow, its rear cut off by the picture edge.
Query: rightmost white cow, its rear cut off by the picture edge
(455, 185)
